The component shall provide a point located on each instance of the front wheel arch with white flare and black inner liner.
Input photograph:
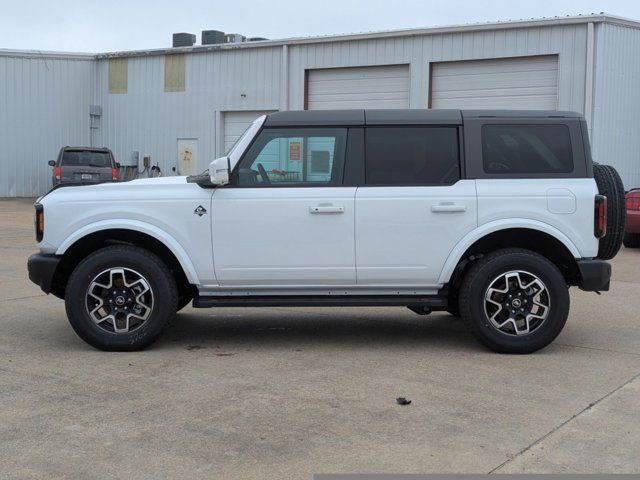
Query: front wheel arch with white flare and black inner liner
(93, 237)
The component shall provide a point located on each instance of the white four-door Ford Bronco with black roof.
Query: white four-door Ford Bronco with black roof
(489, 215)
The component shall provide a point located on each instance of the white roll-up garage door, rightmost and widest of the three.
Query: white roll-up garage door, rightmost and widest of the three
(511, 83)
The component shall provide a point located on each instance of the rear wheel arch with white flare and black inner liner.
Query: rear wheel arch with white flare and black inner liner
(535, 236)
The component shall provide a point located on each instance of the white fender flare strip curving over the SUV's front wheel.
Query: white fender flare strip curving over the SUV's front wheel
(136, 225)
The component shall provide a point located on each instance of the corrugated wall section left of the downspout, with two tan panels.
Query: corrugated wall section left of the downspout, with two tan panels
(149, 120)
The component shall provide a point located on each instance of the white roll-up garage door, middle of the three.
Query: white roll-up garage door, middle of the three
(358, 87)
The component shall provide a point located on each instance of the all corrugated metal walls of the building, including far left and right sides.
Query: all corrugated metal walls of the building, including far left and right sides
(45, 100)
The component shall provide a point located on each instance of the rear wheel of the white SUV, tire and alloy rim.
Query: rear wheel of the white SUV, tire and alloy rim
(514, 301)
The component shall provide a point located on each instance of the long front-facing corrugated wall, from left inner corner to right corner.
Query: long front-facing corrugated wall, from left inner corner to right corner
(149, 120)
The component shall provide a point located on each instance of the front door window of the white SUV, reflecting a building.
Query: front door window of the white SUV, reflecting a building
(294, 155)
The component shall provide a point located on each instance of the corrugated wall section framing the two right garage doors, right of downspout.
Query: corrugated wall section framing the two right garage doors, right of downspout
(568, 41)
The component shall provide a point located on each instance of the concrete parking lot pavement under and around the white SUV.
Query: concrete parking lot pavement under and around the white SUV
(284, 393)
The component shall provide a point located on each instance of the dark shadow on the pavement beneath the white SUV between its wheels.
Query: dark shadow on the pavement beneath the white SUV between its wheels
(194, 331)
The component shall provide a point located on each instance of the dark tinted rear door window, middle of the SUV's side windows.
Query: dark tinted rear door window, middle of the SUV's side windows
(412, 155)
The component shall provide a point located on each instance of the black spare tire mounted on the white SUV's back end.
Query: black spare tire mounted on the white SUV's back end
(610, 184)
